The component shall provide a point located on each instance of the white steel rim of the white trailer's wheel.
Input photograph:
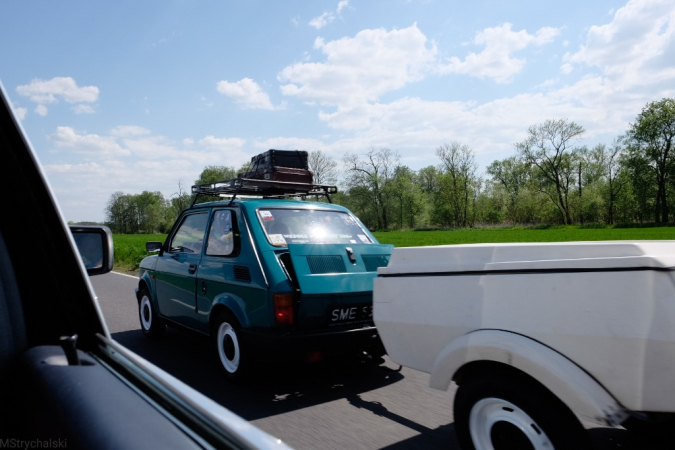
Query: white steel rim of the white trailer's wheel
(490, 411)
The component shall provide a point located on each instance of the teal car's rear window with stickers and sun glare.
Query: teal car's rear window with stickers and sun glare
(307, 226)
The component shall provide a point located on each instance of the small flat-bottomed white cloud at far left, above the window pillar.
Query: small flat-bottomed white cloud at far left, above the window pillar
(49, 91)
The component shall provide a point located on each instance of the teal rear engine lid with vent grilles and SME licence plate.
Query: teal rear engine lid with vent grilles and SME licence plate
(336, 283)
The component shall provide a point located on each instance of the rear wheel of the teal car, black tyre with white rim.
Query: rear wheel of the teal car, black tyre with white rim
(228, 346)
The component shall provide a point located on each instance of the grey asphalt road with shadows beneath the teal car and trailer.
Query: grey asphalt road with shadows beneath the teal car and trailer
(317, 406)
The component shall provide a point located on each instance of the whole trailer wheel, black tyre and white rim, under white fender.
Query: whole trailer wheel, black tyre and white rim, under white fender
(501, 412)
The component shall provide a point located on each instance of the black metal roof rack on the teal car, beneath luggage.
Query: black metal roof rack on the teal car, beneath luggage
(262, 188)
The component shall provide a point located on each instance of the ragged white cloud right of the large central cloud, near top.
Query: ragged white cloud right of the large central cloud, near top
(496, 61)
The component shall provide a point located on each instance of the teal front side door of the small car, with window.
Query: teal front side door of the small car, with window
(176, 270)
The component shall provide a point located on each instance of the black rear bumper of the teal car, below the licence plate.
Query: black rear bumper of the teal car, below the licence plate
(273, 345)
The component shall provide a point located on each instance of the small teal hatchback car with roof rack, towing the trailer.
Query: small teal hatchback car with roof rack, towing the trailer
(265, 278)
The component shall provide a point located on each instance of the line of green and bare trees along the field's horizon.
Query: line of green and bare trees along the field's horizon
(551, 178)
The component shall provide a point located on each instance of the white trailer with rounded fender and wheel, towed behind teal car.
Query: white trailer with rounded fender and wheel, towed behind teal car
(537, 336)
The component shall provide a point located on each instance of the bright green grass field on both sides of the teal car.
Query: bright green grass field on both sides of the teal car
(130, 248)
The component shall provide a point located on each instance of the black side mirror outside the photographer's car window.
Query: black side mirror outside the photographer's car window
(95, 246)
